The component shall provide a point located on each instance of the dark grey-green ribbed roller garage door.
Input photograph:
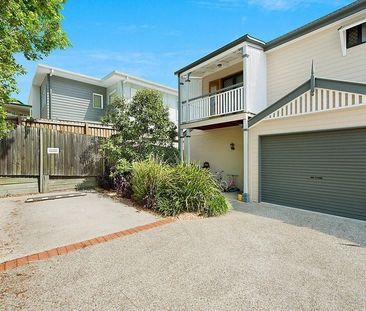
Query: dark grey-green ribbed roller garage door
(318, 171)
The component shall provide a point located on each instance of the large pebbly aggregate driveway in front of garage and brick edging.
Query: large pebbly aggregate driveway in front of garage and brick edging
(258, 257)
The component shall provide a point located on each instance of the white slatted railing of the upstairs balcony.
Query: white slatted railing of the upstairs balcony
(218, 104)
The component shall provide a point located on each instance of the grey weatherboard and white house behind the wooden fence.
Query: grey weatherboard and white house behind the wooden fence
(59, 94)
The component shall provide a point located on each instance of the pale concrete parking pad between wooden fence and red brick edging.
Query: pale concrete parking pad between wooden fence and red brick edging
(27, 228)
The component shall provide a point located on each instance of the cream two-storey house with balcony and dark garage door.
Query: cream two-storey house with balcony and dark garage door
(288, 116)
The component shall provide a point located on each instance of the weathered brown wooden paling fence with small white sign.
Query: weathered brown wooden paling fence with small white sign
(49, 156)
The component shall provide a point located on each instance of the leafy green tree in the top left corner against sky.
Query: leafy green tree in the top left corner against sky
(31, 28)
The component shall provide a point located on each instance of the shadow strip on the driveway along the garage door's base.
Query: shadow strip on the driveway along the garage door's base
(345, 228)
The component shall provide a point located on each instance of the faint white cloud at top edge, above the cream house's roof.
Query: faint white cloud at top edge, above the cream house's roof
(281, 5)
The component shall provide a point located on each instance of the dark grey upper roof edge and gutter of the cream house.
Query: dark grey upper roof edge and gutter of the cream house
(333, 17)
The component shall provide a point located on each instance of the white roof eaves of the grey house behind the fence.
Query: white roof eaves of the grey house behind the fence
(108, 80)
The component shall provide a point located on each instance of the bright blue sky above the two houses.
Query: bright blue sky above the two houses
(154, 38)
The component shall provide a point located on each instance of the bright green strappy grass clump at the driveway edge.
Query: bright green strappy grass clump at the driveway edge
(171, 190)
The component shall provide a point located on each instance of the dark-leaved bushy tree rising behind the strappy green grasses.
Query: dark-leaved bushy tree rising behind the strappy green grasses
(142, 128)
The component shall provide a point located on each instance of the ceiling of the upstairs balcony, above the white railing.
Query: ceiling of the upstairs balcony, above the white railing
(214, 66)
